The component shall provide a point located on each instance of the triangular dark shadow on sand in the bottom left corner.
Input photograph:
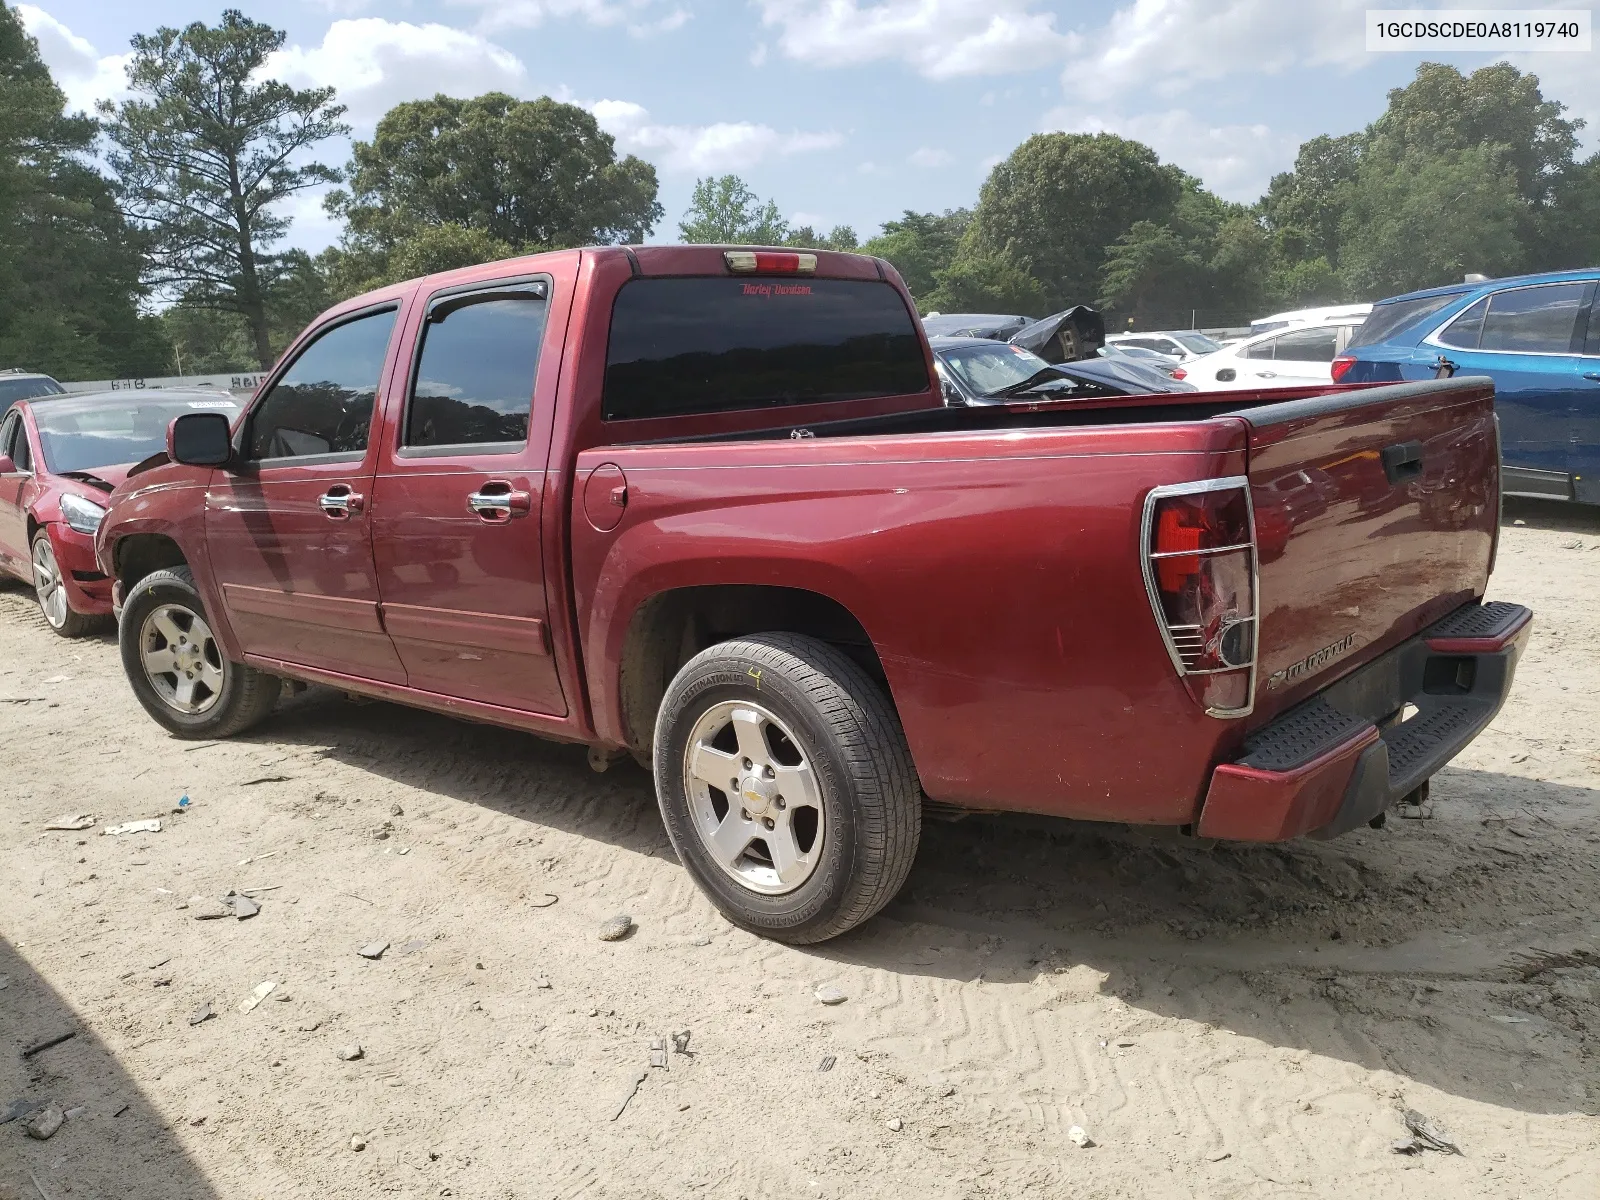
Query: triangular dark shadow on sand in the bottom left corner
(118, 1148)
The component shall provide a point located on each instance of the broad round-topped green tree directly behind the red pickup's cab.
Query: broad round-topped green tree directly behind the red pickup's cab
(449, 182)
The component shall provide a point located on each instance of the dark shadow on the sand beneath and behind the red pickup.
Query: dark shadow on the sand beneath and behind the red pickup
(1415, 950)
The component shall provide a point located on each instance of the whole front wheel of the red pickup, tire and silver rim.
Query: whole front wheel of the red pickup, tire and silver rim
(177, 665)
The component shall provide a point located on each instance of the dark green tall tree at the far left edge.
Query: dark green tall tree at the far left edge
(70, 265)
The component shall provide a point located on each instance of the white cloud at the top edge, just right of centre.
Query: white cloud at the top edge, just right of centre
(940, 39)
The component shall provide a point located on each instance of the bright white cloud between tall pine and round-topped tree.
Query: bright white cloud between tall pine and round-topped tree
(377, 65)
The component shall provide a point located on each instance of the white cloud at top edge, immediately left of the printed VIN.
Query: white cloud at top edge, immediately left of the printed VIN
(1172, 46)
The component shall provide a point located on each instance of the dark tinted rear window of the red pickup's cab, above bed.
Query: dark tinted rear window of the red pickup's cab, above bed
(682, 346)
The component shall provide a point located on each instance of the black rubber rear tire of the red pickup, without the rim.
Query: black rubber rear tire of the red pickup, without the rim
(854, 742)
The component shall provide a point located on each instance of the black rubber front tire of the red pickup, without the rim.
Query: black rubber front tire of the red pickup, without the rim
(246, 695)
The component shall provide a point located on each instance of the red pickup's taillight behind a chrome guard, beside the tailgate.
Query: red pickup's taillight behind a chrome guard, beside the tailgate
(1201, 572)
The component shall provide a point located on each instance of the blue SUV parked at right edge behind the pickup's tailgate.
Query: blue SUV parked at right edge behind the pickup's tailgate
(1537, 337)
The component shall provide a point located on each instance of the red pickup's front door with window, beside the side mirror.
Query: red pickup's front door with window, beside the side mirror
(289, 529)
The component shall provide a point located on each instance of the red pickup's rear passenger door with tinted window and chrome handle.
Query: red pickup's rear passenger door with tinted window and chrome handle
(458, 502)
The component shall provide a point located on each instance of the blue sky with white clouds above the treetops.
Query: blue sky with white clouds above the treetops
(842, 111)
